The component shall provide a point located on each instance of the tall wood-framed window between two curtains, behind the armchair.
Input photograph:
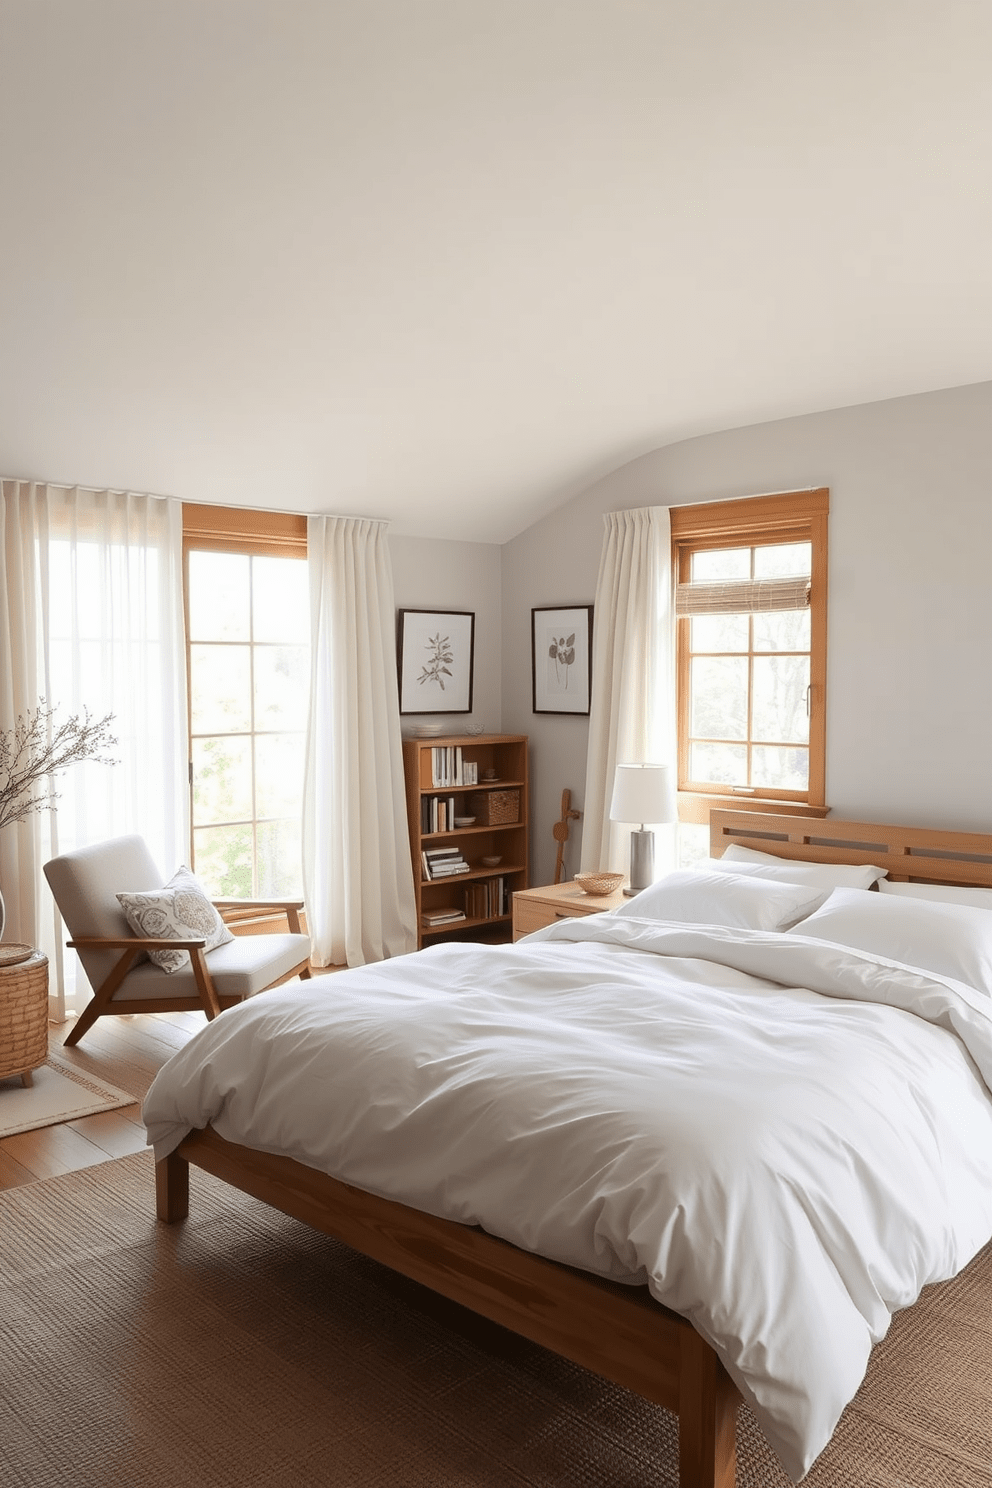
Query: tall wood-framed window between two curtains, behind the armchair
(248, 624)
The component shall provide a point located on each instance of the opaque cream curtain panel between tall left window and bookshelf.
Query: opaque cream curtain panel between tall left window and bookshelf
(358, 877)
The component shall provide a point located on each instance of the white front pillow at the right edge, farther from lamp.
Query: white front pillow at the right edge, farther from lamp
(947, 940)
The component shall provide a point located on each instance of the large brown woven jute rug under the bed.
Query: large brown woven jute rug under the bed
(245, 1350)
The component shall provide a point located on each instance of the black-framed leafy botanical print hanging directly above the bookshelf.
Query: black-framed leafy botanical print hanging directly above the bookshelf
(437, 660)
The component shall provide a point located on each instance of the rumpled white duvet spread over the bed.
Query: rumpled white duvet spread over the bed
(786, 1141)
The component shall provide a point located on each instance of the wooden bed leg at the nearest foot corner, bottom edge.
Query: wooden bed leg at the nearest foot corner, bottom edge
(707, 1417)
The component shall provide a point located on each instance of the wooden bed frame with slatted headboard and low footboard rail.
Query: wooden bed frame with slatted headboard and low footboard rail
(616, 1331)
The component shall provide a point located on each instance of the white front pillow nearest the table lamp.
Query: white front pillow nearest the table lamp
(691, 897)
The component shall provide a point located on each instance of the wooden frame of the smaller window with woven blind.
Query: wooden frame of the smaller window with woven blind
(758, 522)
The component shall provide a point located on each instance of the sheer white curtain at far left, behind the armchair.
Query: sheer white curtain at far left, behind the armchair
(91, 617)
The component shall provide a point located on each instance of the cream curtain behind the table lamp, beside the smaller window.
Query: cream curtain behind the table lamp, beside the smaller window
(633, 708)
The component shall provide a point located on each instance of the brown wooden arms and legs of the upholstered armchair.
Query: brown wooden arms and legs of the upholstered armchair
(207, 998)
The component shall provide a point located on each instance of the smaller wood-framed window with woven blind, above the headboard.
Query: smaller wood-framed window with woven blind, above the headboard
(752, 618)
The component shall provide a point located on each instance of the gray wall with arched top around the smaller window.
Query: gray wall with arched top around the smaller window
(909, 661)
